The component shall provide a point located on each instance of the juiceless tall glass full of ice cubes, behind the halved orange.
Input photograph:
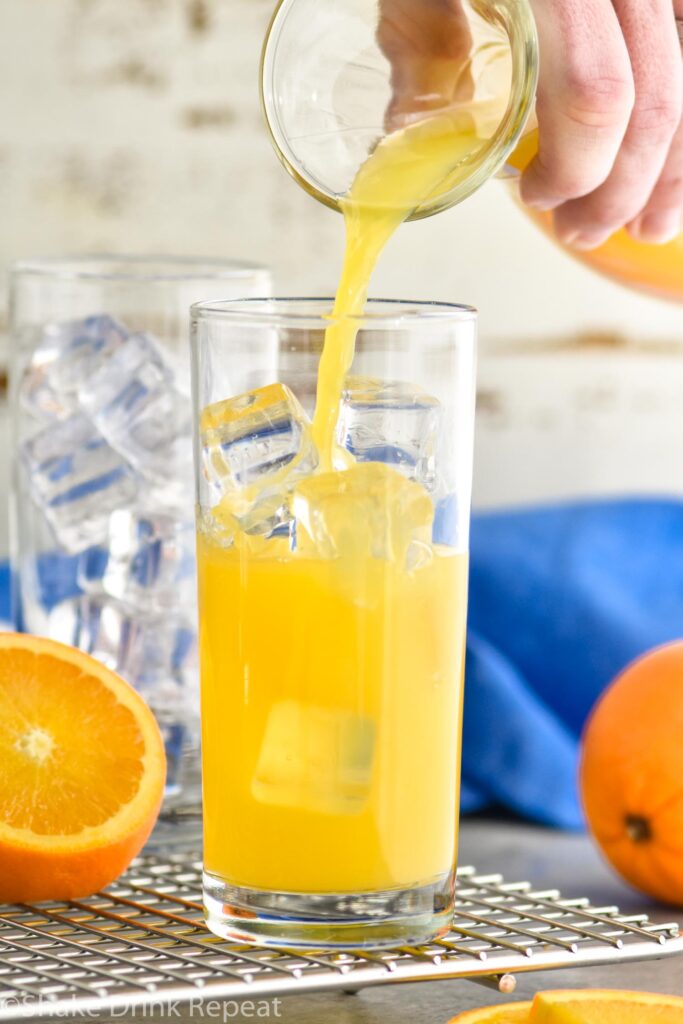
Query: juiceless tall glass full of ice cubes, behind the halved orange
(103, 534)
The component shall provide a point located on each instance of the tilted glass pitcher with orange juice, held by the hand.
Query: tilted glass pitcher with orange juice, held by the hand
(339, 76)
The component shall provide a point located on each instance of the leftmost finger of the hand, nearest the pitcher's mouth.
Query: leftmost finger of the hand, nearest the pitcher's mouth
(585, 99)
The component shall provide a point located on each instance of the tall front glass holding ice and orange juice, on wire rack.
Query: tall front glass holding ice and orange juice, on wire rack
(332, 620)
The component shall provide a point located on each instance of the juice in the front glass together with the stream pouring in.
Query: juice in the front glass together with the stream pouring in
(332, 688)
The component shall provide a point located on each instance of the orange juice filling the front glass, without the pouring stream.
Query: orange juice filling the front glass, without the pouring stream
(330, 766)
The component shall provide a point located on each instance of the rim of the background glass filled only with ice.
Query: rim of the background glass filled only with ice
(129, 267)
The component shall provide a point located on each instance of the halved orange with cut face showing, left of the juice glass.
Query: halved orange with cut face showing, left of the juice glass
(82, 772)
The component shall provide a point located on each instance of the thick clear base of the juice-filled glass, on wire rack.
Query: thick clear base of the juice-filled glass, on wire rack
(346, 921)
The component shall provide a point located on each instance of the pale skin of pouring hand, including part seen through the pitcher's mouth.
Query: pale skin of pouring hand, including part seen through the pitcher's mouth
(610, 107)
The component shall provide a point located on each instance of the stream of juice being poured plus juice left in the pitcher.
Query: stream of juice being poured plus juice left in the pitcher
(405, 170)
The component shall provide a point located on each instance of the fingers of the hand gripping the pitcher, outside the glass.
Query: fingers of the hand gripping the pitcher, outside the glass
(610, 101)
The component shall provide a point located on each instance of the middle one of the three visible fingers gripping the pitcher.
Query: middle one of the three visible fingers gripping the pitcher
(650, 31)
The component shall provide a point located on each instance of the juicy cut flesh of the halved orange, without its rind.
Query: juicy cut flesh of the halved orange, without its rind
(62, 767)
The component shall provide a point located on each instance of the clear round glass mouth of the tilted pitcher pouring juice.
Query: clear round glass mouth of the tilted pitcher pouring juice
(329, 81)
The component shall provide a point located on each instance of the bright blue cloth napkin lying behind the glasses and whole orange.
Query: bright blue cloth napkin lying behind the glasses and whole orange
(562, 600)
